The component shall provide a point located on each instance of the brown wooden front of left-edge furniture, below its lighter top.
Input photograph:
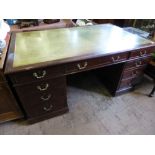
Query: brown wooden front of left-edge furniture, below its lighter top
(9, 110)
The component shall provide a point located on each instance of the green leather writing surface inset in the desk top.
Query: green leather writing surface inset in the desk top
(57, 44)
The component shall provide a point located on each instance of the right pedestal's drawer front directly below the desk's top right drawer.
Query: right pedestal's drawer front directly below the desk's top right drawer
(140, 63)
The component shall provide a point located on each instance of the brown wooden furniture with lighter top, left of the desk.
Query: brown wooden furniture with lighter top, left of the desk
(9, 109)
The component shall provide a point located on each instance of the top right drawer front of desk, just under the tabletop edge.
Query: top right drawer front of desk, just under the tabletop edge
(141, 53)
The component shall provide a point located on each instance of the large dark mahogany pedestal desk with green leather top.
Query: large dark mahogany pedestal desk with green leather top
(38, 62)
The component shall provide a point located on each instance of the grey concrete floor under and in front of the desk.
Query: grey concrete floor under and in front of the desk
(94, 111)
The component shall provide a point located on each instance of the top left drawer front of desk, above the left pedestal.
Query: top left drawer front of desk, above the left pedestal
(36, 75)
